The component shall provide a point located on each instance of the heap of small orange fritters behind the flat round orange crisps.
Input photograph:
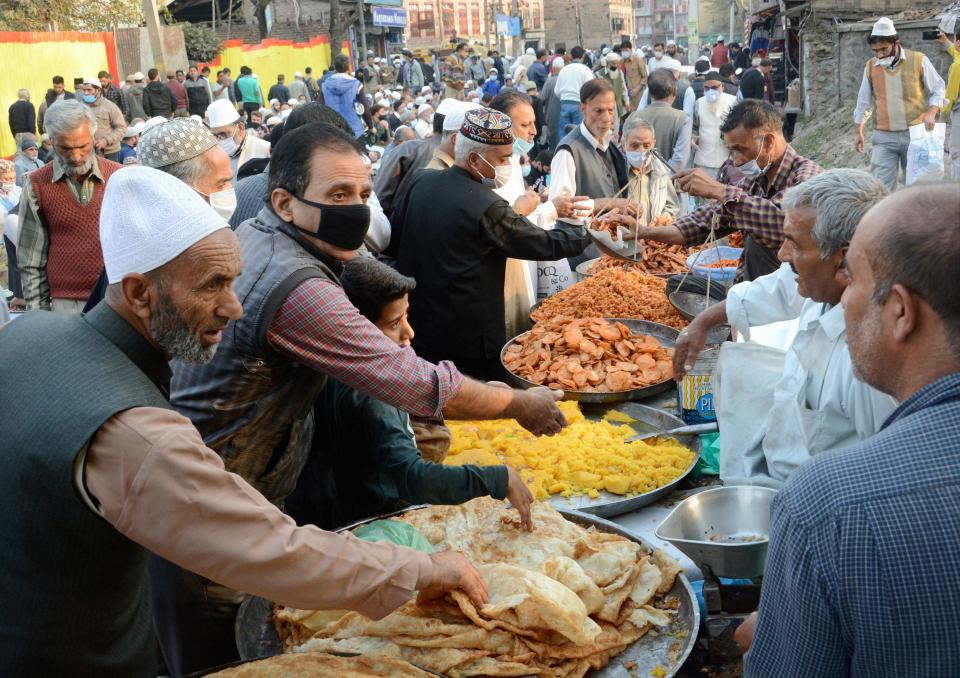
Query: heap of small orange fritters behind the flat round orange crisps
(614, 293)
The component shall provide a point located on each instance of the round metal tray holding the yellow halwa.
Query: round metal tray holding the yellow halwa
(647, 419)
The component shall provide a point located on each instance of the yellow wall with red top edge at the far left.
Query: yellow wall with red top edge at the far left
(31, 59)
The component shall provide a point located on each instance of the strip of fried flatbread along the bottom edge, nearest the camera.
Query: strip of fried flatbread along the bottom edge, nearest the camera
(310, 664)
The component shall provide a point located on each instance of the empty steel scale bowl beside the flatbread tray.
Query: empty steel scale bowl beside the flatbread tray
(726, 529)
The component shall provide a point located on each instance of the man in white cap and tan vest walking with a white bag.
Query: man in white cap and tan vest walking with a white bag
(905, 89)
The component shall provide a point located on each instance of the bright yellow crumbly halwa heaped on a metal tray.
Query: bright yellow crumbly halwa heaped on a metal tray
(585, 458)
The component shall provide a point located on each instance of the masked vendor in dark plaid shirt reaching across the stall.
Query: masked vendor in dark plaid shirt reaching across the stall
(754, 134)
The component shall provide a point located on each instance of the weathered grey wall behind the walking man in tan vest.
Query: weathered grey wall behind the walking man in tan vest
(834, 59)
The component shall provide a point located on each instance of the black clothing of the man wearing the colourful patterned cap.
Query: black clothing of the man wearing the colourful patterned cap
(454, 236)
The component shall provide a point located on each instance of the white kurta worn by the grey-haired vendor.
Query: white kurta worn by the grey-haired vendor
(776, 409)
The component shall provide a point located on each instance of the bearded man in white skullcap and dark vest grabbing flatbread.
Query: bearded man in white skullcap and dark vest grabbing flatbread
(121, 474)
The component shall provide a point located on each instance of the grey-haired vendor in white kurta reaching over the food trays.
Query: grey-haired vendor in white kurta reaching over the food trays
(776, 409)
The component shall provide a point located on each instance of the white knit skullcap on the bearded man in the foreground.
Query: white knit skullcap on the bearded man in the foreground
(149, 218)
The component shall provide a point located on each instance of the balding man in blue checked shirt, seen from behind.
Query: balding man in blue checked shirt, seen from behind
(865, 541)
